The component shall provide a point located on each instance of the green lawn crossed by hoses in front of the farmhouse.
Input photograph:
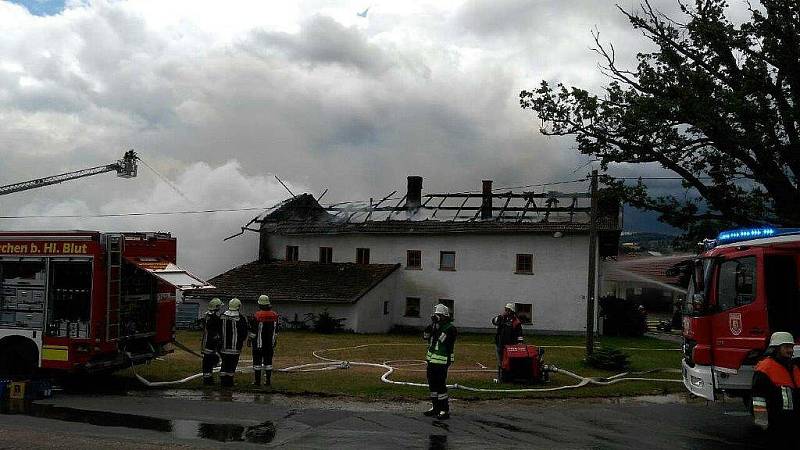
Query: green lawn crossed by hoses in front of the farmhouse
(471, 350)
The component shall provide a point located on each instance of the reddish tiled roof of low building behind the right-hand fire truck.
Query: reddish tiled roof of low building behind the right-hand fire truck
(641, 268)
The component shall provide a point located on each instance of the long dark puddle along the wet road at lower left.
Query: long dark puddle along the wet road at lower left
(182, 429)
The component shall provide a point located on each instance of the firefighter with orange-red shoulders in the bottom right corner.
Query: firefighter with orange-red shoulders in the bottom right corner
(775, 384)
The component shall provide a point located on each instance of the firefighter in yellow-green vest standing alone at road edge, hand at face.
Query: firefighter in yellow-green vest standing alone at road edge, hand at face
(441, 335)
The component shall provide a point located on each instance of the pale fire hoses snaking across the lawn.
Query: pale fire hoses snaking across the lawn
(334, 364)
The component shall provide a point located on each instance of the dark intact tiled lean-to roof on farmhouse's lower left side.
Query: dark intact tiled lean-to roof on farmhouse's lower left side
(297, 281)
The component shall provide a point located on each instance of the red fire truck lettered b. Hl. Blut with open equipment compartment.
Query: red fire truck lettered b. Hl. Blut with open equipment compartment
(86, 300)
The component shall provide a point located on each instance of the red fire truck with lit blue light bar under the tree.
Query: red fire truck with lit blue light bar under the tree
(742, 288)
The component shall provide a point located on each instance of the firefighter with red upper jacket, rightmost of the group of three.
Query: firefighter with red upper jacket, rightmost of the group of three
(263, 337)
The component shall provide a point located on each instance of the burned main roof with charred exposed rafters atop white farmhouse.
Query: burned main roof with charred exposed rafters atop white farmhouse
(465, 212)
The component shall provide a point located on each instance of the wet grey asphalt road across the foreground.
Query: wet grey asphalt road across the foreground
(187, 419)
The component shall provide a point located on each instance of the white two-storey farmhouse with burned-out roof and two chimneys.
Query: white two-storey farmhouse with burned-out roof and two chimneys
(386, 263)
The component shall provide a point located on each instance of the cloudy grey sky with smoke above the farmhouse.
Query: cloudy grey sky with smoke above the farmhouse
(219, 96)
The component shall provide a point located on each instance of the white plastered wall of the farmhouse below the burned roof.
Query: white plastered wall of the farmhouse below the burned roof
(484, 279)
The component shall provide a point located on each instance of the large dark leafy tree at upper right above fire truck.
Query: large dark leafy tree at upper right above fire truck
(717, 103)
